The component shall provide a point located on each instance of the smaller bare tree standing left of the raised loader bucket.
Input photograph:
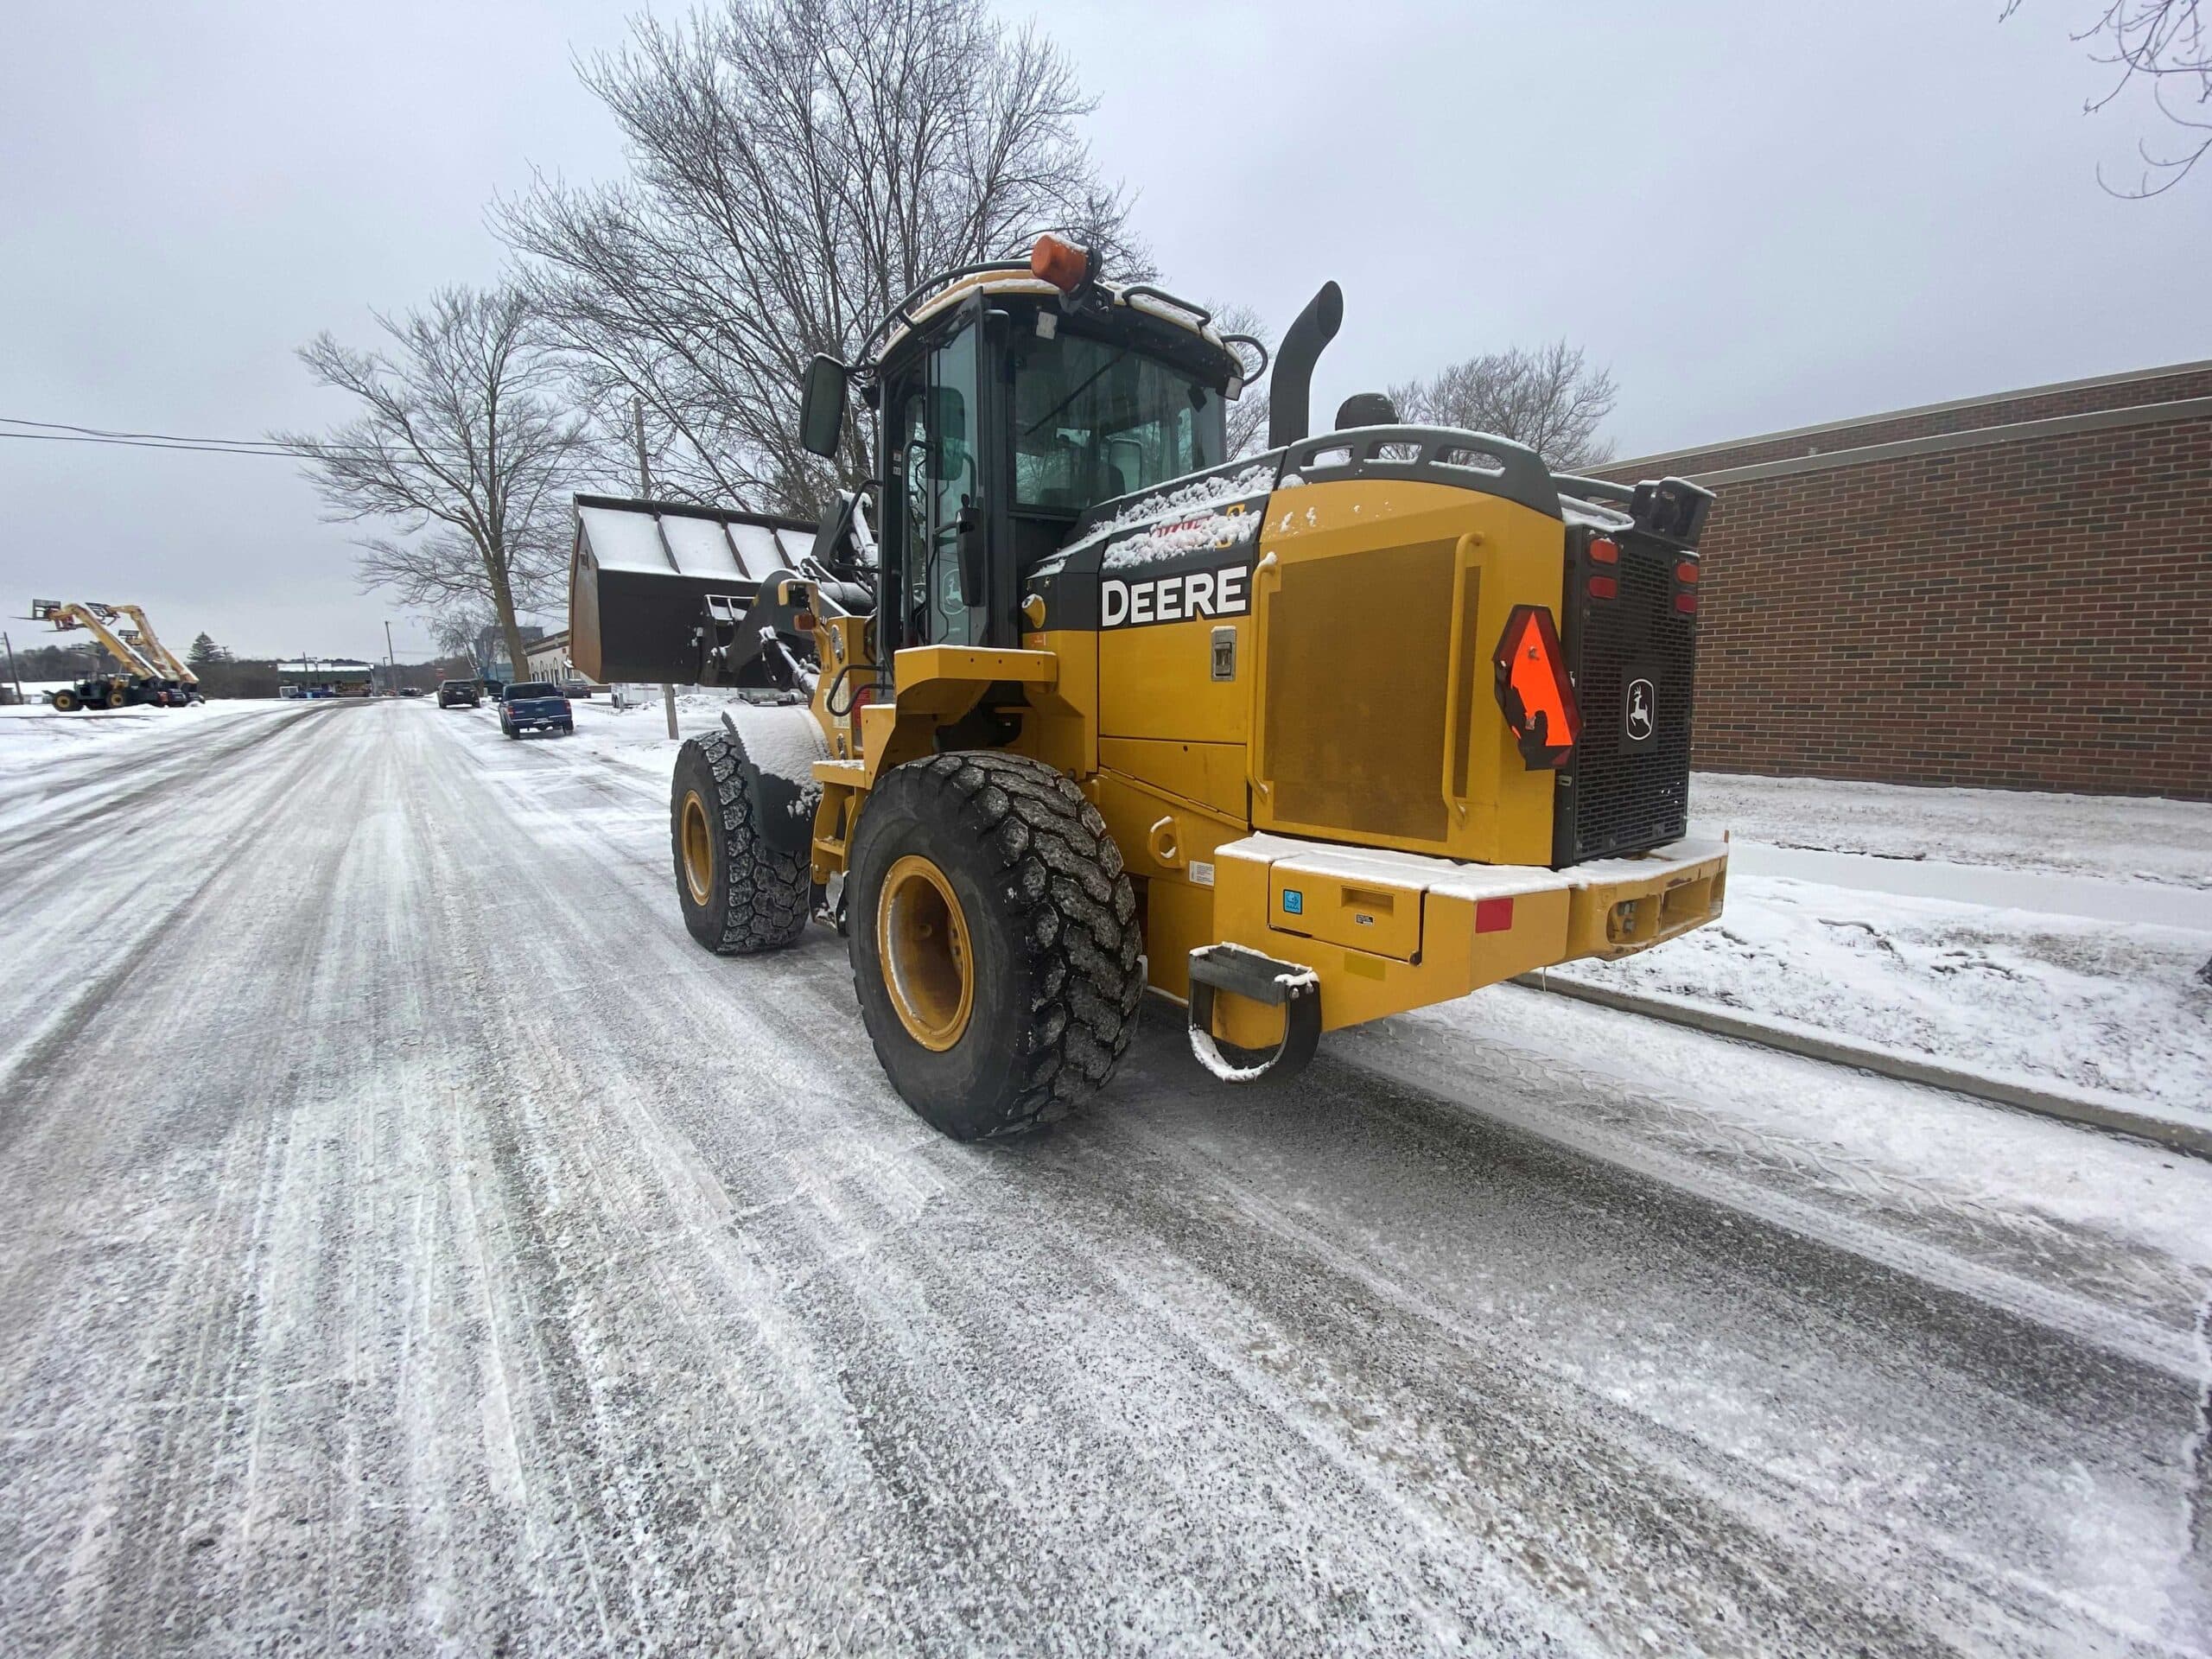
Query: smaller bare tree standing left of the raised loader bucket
(463, 446)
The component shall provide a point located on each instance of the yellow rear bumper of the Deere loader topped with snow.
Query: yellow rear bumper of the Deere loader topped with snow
(1397, 930)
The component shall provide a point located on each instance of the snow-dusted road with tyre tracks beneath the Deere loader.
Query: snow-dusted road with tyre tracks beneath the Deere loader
(415, 1244)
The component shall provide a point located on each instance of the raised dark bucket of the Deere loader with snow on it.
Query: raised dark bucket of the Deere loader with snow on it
(647, 576)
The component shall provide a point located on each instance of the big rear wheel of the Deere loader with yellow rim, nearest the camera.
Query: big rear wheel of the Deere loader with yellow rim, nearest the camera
(1016, 963)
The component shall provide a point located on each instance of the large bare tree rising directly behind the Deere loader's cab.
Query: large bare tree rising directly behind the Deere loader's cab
(797, 167)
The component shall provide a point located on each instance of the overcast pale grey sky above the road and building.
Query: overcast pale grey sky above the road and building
(1757, 216)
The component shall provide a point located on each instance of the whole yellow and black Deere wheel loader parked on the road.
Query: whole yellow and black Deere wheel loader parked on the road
(1297, 740)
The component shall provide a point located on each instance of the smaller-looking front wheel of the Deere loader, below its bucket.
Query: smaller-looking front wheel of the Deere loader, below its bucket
(740, 893)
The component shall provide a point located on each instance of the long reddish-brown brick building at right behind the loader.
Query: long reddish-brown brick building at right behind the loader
(2007, 592)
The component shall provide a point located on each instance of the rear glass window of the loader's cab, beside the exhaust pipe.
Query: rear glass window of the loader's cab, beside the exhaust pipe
(1094, 421)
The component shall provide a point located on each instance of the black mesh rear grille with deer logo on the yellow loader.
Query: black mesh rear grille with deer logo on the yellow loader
(1616, 795)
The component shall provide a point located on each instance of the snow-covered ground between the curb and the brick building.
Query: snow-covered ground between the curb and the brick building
(2032, 937)
